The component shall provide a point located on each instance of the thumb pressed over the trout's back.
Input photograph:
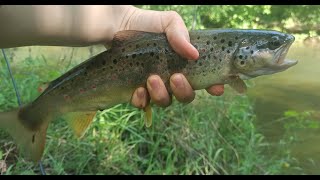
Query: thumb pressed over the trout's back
(178, 35)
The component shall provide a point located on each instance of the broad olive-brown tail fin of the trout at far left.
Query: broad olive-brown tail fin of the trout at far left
(30, 142)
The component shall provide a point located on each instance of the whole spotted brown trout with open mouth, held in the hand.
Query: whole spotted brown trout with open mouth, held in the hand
(227, 56)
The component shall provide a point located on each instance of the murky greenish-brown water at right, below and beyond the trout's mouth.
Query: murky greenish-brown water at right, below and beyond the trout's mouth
(295, 89)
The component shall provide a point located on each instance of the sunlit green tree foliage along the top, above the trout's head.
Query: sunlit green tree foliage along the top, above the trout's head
(288, 18)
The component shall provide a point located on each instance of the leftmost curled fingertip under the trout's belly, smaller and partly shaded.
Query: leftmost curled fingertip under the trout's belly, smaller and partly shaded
(140, 98)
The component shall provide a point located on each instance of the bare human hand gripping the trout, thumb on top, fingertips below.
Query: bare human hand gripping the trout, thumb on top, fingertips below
(172, 24)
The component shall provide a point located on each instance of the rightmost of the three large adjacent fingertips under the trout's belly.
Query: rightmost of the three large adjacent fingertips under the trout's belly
(181, 88)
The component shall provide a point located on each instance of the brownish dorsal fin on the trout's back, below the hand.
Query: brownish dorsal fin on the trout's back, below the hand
(122, 38)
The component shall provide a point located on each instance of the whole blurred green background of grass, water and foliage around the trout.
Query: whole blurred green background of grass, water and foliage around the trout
(274, 129)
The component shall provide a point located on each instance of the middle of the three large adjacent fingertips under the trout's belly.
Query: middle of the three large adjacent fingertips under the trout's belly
(158, 91)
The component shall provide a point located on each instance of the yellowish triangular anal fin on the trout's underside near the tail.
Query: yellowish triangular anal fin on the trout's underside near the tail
(80, 121)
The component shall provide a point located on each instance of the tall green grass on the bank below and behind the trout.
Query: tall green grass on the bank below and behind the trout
(212, 135)
